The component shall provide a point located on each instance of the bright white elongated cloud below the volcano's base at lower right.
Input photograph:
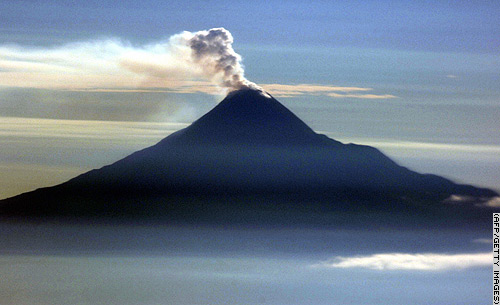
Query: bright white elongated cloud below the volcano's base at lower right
(405, 261)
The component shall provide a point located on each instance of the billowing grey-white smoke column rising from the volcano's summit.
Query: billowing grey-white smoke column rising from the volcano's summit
(212, 52)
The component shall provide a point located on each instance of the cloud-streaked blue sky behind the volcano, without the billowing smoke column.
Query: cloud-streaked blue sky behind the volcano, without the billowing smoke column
(83, 84)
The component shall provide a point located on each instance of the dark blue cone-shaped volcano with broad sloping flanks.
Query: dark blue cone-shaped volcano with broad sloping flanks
(248, 158)
